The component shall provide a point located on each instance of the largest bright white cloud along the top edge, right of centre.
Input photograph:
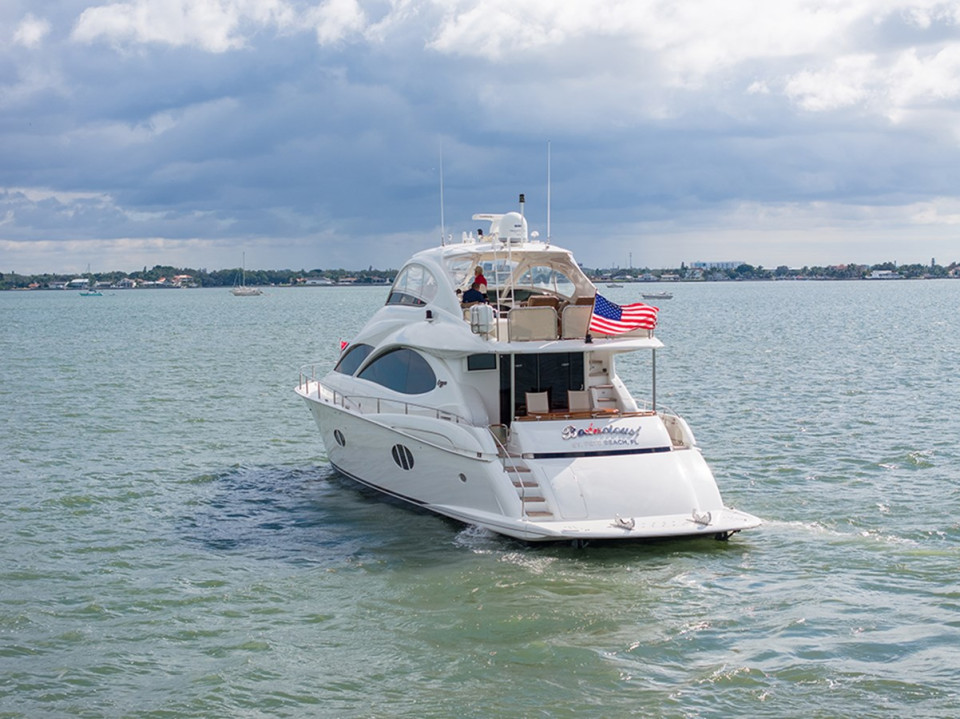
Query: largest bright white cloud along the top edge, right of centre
(693, 38)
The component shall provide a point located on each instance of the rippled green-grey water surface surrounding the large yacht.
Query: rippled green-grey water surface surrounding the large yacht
(174, 542)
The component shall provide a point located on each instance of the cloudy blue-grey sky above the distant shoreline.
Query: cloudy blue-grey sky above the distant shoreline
(309, 133)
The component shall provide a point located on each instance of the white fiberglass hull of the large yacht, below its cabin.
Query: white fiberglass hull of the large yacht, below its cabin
(457, 471)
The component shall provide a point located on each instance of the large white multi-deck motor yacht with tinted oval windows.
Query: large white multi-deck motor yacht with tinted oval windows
(510, 414)
